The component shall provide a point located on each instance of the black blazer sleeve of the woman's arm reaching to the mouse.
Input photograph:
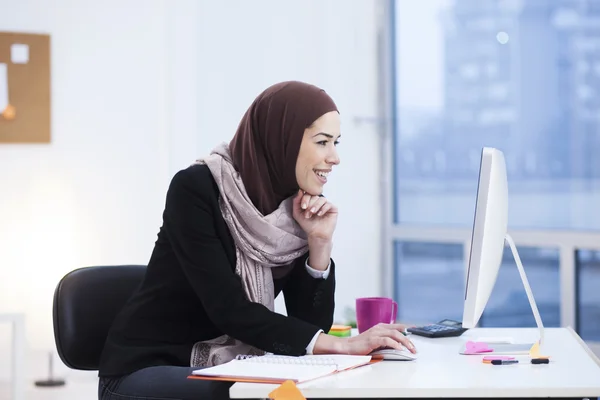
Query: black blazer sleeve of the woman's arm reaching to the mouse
(189, 223)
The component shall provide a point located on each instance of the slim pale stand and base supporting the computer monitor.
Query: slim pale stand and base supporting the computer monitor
(516, 348)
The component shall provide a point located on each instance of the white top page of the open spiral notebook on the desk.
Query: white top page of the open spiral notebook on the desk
(283, 372)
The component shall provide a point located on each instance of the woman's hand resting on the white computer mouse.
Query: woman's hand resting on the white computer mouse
(378, 337)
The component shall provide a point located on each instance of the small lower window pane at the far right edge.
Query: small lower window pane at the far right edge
(588, 294)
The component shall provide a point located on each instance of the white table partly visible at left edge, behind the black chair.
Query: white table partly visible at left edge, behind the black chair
(18, 354)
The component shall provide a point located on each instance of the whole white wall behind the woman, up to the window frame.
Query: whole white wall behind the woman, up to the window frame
(139, 90)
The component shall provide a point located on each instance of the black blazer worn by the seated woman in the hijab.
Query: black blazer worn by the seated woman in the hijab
(191, 293)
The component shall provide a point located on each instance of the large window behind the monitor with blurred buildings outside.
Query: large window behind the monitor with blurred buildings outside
(471, 74)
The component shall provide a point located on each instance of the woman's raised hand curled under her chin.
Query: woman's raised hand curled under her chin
(315, 215)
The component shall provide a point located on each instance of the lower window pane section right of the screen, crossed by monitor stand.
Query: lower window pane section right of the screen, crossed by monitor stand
(508, 305)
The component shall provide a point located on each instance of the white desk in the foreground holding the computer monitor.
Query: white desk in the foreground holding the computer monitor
(440, 371)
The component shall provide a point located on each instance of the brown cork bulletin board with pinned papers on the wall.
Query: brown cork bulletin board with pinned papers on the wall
(24, 88)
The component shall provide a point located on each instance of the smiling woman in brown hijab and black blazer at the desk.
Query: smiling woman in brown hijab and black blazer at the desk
(240, 226)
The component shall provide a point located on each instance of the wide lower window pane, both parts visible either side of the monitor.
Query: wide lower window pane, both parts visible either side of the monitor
(430, 278)
